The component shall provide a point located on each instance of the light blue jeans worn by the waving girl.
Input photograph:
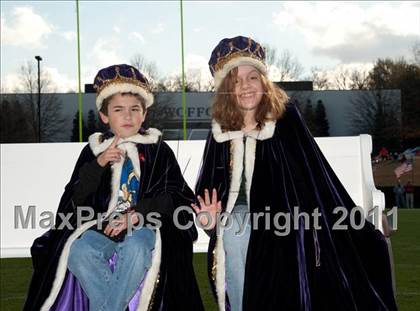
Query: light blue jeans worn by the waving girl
(235, 243)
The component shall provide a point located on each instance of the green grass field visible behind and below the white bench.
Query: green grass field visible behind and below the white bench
(15, 273)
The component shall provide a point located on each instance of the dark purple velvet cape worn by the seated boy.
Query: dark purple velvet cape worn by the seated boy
(160, 176)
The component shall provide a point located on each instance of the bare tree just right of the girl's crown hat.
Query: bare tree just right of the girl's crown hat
(287, 66)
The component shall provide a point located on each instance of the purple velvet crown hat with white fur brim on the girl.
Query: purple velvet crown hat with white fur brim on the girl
(233, 52)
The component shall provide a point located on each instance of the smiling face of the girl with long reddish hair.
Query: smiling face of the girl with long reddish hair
(248, 87)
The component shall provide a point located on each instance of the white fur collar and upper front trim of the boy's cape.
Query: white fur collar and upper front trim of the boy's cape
(129, 145)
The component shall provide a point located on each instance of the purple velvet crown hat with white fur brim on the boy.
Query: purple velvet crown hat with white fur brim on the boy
(121, 79)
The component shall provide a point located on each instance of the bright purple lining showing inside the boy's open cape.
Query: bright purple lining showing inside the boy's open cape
(72, 297)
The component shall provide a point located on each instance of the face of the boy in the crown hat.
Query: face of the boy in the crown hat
(125, 115)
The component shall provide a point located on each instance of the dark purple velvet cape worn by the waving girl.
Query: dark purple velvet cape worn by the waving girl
(307, 269)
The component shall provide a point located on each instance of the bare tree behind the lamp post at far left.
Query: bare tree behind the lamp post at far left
(50, 105)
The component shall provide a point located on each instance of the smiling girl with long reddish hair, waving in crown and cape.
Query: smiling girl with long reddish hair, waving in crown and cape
(263, 169)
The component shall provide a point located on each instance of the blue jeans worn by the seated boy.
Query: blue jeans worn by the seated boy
(88, 261)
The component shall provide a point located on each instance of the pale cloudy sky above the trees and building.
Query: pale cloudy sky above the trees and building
(328, 35)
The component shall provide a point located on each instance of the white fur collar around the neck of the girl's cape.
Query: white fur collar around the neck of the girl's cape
(265, 133)
